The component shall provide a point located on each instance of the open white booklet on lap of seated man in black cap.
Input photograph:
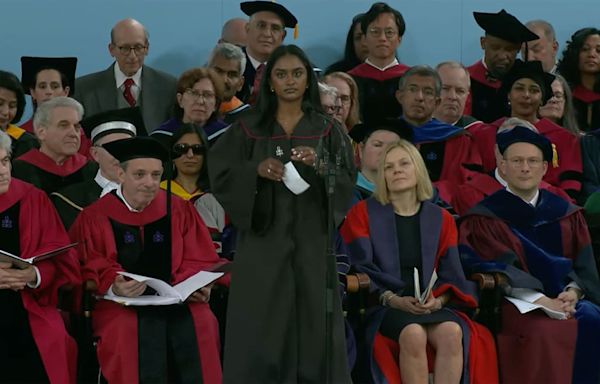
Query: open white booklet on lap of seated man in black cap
(165, 293)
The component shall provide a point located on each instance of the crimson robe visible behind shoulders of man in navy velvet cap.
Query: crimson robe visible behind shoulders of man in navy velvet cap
(480, 185)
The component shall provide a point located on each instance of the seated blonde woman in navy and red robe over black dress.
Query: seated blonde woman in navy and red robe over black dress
(388, 236)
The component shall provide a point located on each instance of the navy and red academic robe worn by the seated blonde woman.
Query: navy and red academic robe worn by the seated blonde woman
(371, 239)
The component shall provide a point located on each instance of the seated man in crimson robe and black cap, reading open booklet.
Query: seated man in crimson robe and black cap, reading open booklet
(129, 230)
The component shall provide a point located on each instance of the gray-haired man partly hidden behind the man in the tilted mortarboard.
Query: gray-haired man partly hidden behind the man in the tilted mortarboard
(543, 49)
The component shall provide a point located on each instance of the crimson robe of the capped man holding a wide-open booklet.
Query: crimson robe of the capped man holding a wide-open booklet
(116, 326)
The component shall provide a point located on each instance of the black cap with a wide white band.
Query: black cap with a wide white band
(125, 120)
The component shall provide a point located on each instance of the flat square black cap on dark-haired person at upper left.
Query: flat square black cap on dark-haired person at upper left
(31, 66)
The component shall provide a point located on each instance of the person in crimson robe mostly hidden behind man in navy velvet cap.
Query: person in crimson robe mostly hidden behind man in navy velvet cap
(480, 184)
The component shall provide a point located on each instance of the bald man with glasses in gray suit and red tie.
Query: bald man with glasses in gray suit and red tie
(128, 82)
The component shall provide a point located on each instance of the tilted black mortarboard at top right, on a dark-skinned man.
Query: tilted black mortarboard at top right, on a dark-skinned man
(504, 26)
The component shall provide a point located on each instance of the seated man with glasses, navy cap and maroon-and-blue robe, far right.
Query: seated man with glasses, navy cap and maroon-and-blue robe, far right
(539, 245)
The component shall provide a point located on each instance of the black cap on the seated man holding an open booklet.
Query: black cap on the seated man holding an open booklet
(137, 148)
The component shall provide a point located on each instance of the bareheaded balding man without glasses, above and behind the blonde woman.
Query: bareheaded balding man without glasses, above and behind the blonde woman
(456, 85)
